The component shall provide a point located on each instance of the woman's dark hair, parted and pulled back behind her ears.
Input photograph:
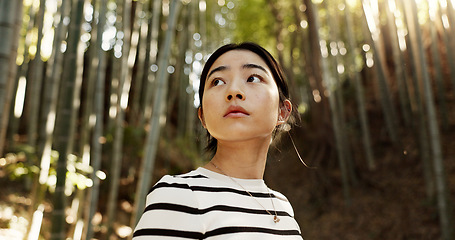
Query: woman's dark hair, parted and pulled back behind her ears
(274, 67)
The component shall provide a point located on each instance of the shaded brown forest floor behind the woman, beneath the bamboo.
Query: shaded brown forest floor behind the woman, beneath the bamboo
(388, 202)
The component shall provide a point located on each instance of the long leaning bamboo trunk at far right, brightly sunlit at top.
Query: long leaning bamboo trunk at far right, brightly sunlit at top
(434, 138)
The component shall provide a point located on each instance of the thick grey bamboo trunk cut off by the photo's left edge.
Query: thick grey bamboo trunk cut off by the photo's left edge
(10, 22)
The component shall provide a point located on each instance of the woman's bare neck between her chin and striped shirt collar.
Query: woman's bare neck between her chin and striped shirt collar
(244, 160)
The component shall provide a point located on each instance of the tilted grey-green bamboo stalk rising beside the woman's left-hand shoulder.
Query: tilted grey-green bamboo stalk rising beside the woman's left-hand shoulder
(158, 108)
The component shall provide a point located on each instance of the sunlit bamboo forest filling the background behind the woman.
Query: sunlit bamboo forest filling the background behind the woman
(99, 98)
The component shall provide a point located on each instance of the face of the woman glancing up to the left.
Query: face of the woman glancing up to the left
(241, 100)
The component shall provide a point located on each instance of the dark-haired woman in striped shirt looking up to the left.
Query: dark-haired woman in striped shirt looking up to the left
(244, 104)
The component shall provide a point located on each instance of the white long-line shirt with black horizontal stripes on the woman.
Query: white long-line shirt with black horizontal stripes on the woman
(203, 204)
